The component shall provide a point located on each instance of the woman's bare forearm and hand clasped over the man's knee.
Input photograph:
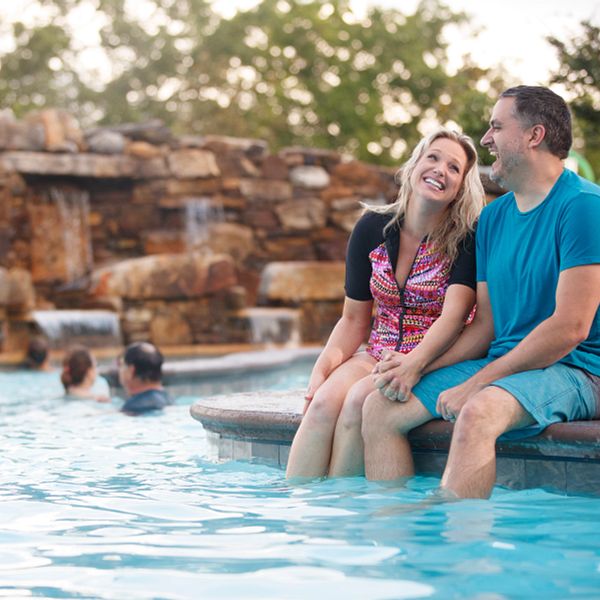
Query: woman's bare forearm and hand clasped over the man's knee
(398, 373)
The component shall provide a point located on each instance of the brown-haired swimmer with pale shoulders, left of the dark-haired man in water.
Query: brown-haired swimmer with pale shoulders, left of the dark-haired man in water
(80, 378)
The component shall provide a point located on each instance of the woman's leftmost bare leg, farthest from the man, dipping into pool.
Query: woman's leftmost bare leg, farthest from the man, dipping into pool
(311, 449)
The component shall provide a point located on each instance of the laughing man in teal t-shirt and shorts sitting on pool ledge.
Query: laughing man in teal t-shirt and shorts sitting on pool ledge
(531, 357)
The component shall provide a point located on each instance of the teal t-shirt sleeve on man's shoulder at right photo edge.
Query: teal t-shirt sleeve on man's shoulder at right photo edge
(578, 233)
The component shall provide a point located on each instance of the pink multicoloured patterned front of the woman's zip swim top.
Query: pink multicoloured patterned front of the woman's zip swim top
(403, 315)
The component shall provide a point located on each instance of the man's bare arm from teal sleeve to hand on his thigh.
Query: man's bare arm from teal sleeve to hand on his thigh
(577, 300)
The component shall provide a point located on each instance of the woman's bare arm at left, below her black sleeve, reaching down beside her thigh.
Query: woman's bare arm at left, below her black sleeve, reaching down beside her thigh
(345, 339)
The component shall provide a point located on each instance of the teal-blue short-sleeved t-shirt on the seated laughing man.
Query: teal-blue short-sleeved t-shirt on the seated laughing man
(520, 256)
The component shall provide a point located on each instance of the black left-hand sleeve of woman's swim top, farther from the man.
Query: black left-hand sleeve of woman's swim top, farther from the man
(366, 235)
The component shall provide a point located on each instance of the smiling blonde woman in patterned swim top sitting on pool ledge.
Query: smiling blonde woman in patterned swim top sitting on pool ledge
(415, 260)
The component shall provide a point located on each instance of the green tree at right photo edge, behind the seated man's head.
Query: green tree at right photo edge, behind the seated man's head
(579, 73)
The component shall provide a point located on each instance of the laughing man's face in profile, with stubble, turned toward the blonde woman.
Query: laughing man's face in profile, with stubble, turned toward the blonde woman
(506, 140)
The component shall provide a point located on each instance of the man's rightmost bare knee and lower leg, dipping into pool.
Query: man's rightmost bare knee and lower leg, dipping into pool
(471, 468)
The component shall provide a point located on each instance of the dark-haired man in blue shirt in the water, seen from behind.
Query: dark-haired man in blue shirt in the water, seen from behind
(140, 373)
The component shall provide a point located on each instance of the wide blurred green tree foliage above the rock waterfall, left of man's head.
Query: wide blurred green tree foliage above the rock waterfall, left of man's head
(305, 72)
